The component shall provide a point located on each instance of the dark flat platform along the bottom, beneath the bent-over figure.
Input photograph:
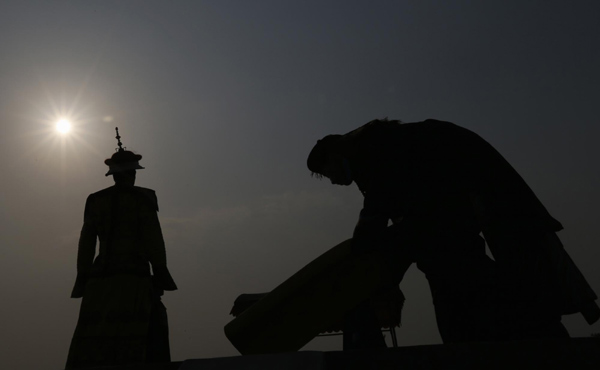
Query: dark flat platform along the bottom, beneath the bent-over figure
(579, 353)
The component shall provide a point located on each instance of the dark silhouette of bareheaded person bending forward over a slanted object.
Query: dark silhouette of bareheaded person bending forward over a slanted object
(443, 186)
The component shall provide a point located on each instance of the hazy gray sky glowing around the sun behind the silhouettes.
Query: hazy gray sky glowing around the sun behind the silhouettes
(224, 100)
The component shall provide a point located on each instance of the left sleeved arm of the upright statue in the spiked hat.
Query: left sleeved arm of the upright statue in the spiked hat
(86, 249)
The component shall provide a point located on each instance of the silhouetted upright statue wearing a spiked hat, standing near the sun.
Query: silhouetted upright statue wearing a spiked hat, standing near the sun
(122, 319)
